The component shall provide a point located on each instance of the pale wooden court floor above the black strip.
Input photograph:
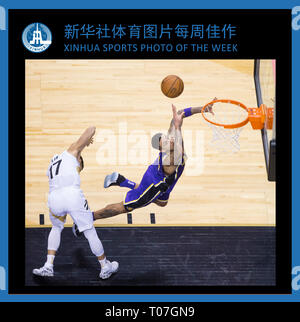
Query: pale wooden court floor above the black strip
(122, 98)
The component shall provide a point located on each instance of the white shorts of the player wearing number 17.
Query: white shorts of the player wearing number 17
(70, 200)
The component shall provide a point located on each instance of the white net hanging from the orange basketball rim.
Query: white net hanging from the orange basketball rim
(223, 139)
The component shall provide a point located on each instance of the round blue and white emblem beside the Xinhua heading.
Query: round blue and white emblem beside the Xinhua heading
(37, 37)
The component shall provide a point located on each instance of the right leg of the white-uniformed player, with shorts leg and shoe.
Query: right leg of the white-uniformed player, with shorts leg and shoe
(83, 218)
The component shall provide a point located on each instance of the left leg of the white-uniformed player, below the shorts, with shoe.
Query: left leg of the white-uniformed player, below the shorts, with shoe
(54, 239)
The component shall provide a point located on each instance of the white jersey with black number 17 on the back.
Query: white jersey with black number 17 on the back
(63, 171)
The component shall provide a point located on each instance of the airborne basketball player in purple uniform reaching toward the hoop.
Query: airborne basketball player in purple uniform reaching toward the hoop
(160, 177)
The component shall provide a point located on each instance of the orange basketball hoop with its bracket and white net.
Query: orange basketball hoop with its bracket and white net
(229, 118)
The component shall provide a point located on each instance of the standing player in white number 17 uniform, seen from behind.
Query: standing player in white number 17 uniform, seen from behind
(66, 197)
